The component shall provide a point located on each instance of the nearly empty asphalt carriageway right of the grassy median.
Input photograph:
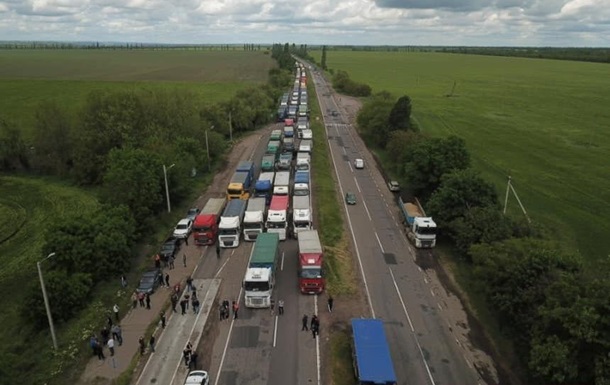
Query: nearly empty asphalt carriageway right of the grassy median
(422, 347)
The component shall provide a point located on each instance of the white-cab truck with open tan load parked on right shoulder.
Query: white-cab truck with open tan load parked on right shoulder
(420, 230)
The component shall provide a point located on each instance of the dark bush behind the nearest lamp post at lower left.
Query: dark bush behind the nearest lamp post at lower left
(67, 293)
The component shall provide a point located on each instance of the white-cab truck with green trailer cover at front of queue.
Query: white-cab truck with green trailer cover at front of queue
(260, 276)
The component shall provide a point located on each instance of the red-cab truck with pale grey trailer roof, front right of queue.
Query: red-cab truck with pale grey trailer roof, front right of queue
(311, 257)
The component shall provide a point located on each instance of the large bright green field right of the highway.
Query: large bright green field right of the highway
(543, 122)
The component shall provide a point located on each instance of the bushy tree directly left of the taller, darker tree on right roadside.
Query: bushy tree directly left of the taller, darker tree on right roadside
(372, 119)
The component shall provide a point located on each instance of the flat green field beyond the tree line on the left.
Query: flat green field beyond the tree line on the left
(29, 77)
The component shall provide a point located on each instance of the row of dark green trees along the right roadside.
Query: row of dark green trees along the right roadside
(553, 311)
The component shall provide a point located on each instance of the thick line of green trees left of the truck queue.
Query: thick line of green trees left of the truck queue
(117, 146)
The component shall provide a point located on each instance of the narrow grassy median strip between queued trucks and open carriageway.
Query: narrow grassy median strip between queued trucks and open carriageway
(340, 275)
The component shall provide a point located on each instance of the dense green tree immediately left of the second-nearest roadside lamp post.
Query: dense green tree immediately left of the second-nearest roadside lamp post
(134, 178)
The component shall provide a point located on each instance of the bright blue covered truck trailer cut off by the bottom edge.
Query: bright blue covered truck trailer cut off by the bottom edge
(371, 353)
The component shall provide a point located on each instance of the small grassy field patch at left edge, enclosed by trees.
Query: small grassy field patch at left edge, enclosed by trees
(27, 206)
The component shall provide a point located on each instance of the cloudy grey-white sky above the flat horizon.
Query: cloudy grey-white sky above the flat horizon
(360, 22)
